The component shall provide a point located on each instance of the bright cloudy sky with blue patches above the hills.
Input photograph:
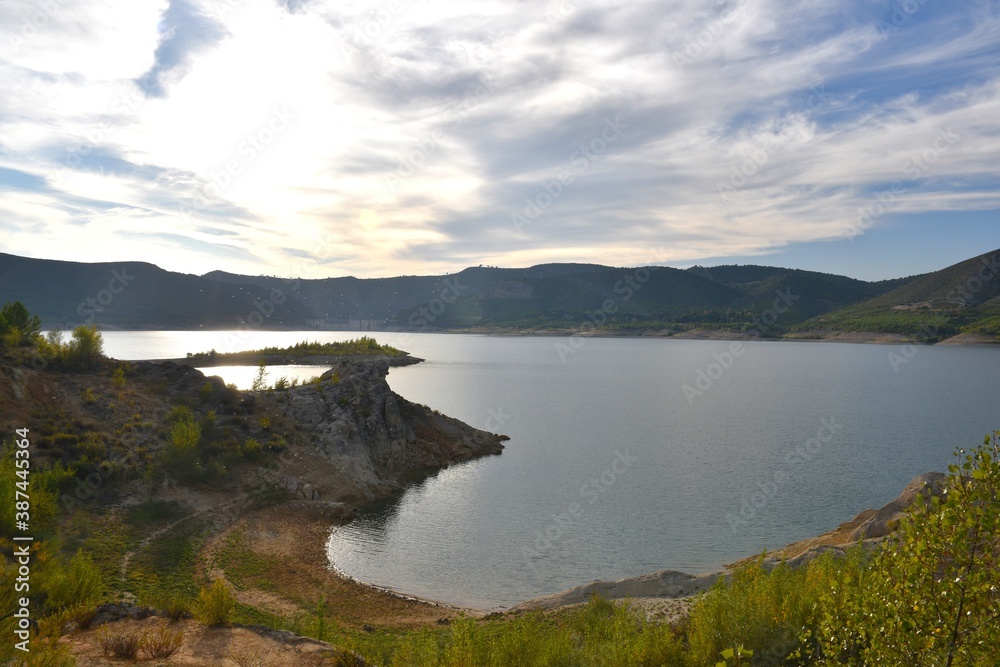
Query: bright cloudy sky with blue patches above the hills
(312, 139)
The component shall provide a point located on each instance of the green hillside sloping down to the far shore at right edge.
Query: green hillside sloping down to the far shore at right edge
(963, 298)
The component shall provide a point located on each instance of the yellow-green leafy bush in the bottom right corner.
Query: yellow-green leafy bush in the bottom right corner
(933, 597)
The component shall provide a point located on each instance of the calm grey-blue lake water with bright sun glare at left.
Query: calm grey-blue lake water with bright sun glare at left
(613, 470)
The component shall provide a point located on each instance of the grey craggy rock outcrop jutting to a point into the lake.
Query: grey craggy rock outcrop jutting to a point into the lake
(373, 436)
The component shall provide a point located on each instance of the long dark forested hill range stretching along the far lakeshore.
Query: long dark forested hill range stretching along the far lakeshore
(554, 297)
